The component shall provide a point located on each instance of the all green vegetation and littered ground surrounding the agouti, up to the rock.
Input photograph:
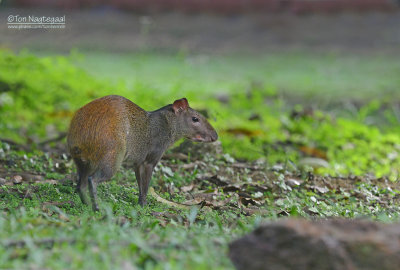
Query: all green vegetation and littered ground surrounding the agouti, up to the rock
(272, 116)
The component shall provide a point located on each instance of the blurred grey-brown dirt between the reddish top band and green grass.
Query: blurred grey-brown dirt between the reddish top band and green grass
(111, 30)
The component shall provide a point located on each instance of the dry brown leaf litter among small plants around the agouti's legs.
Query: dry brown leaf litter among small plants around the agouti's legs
(217, 182)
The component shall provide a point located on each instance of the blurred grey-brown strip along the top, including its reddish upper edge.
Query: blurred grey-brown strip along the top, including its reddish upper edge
(210, 26)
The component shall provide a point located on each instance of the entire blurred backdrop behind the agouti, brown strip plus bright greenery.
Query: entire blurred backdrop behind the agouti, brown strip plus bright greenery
(280, 79)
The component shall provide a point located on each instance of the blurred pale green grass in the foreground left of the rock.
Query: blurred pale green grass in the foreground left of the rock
(86, 241)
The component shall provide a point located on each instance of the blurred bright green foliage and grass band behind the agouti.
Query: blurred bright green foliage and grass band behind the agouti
(39, 95)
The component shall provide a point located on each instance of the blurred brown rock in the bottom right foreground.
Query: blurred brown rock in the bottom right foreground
(335, 244)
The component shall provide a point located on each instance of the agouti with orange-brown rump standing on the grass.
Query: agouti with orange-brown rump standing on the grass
(111, 129)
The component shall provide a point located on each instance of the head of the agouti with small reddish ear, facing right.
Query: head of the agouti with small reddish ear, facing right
(192, 124)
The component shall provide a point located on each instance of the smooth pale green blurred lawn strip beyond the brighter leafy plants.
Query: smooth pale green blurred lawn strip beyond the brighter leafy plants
(321, 77)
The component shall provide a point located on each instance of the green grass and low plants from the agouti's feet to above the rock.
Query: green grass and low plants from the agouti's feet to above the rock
(46, 226)
